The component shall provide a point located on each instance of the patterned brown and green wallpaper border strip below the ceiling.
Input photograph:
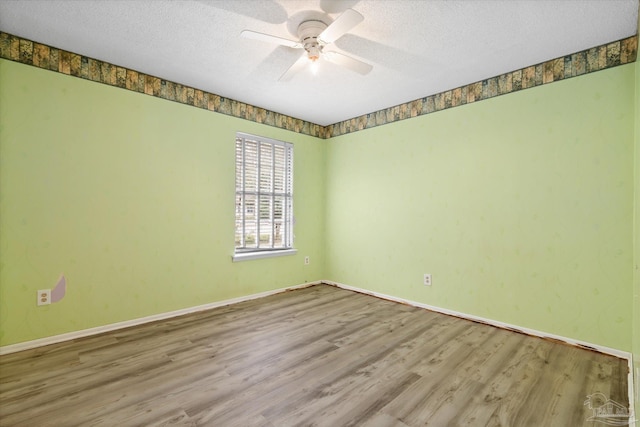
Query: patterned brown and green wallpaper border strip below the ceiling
(39, 55)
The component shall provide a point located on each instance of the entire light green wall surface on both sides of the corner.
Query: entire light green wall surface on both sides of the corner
(520, 206)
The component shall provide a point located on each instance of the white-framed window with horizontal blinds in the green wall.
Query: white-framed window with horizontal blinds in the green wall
(264, 197)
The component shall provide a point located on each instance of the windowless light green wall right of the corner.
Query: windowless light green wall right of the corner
(521, 207)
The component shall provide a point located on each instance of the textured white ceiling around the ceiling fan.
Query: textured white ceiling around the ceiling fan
(417, 48)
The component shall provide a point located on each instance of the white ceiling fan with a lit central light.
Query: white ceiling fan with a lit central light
(314, 36)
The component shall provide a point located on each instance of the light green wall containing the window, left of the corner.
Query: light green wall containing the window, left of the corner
(131, 197)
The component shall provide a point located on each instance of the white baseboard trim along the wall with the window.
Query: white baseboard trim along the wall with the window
(27, 345)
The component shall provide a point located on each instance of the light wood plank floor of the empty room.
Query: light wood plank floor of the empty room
(316, 356)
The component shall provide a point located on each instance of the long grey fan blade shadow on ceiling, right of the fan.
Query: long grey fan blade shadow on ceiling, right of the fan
(411, 65)
